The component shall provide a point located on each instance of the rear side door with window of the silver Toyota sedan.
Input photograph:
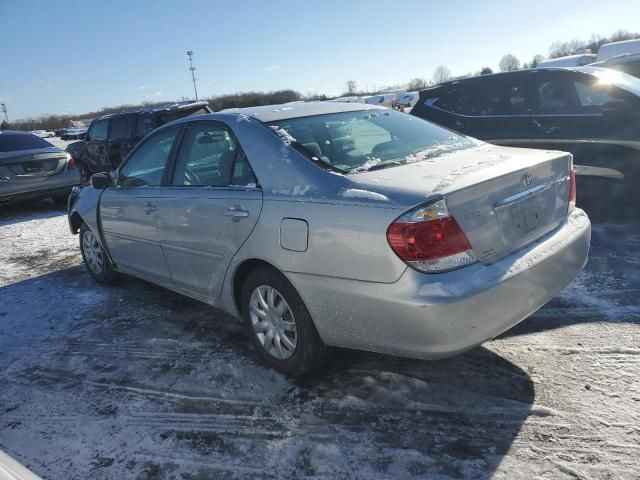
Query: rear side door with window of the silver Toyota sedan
(208, 210)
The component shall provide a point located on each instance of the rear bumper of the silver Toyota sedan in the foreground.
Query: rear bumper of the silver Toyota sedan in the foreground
(437, 315)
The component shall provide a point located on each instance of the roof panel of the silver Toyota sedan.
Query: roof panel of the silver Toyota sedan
(272, 113)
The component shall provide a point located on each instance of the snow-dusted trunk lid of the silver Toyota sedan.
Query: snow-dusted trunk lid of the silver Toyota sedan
(502, 198)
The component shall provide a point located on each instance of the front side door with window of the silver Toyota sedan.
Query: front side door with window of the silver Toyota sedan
(129, 210)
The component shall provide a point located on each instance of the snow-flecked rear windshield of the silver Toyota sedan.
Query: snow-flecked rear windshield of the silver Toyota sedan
(353, 142)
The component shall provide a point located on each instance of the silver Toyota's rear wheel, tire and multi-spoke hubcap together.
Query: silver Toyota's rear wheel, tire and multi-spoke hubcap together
(279, 323)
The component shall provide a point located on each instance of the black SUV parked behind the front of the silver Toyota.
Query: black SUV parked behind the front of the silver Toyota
(111, 137)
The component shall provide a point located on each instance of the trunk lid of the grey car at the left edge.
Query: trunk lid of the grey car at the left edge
(29, 164)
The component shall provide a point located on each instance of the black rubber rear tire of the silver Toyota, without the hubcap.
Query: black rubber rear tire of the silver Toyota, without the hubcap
(310, 352)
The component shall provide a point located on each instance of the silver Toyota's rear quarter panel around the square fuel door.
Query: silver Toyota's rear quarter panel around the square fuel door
(345, 241)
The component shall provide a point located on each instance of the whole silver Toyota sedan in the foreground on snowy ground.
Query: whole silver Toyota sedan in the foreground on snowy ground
(337, 224)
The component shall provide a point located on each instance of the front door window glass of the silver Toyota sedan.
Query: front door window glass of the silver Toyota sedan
(147, 164)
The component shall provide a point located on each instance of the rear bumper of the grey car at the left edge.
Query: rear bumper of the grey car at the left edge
(38, 187)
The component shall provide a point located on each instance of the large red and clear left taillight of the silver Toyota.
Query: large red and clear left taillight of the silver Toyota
(429, 239)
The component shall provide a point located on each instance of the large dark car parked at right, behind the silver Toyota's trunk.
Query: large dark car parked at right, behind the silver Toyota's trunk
(592, 112)
